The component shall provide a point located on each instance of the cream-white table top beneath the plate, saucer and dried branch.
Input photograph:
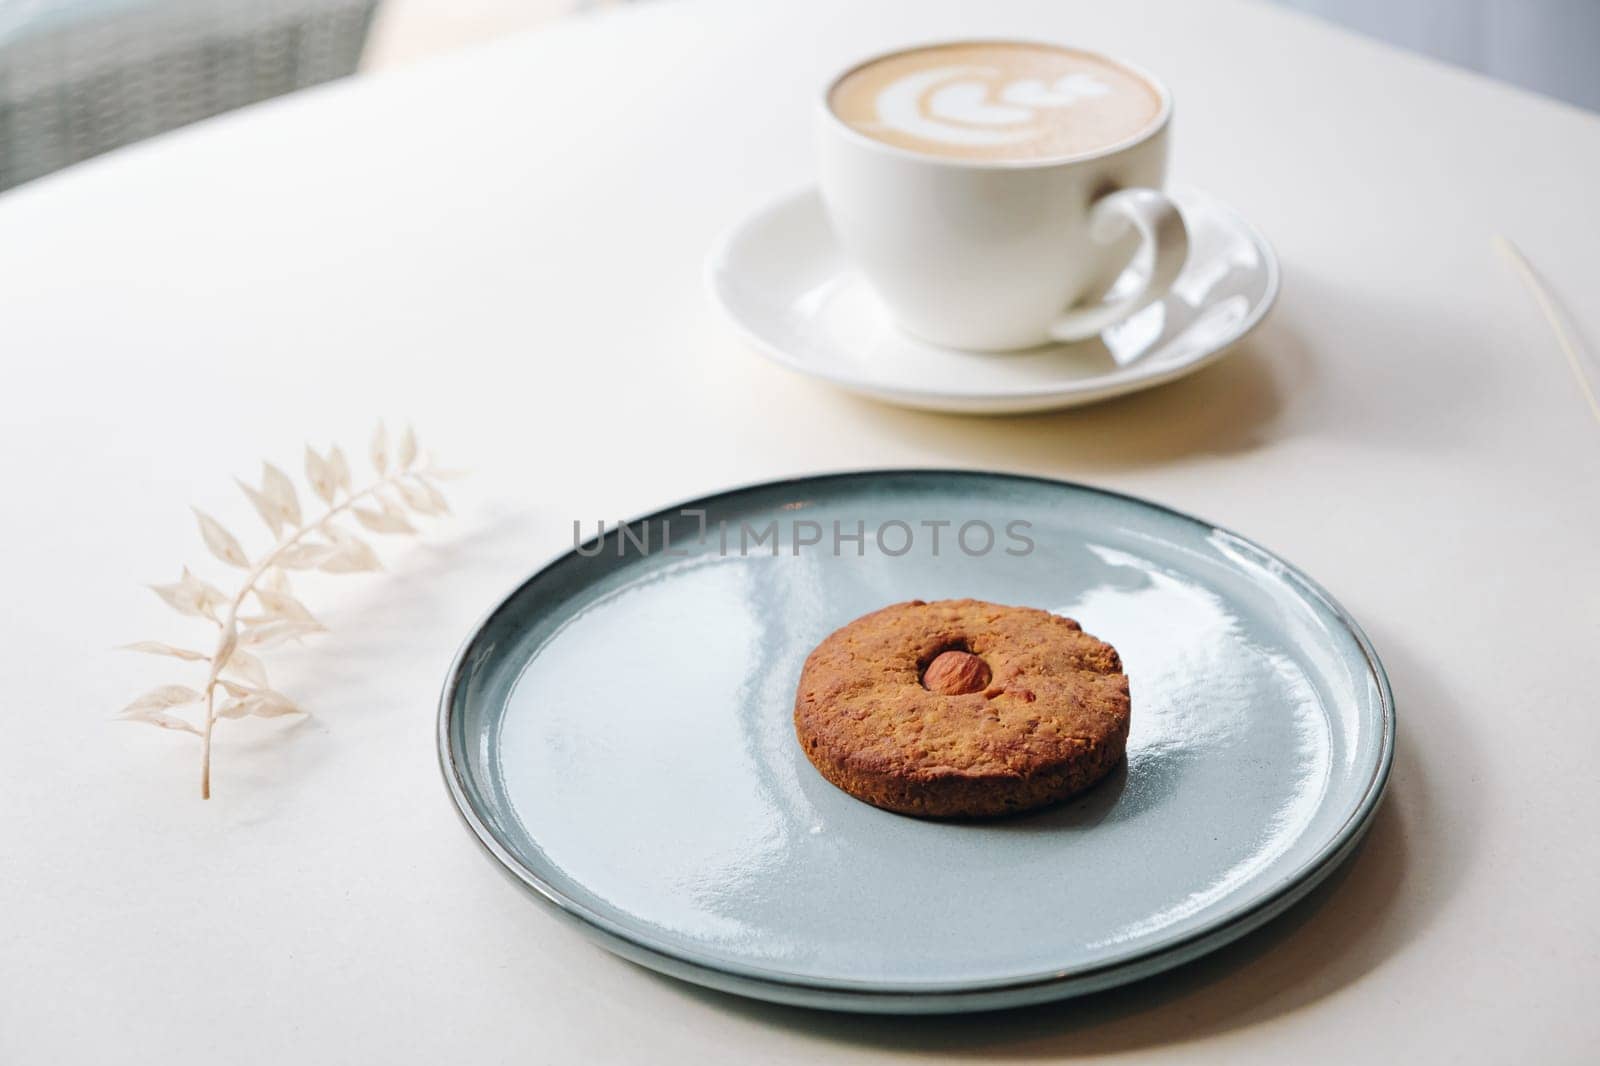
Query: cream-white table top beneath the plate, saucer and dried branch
(506, 249)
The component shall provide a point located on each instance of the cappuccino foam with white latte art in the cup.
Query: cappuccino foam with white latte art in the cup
(996, 102)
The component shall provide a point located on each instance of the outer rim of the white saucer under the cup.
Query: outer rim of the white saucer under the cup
(1018, 399)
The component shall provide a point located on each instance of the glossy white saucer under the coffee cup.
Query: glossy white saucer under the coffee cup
(788, 287)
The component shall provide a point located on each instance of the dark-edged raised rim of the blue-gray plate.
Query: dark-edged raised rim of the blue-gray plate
(908, 996)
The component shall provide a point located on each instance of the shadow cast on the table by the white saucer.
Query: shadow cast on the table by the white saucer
(1369, 383)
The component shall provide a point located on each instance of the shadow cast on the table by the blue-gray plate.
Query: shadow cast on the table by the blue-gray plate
(1350, 926)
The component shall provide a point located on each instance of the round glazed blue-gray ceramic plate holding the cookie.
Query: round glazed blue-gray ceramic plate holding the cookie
(618, 737)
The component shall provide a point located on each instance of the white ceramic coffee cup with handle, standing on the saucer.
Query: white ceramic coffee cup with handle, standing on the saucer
(999, 255)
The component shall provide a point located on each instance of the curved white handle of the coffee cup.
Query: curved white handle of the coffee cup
(1161, 226)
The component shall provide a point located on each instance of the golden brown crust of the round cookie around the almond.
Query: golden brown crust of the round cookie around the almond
(1052, 719)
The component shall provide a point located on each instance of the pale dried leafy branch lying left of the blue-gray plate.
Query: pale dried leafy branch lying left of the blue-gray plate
(401, 491)
